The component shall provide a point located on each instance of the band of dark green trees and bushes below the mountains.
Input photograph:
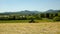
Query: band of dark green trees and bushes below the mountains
(53, 16)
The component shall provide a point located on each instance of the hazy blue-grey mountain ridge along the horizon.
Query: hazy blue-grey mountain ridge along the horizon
(31, 12)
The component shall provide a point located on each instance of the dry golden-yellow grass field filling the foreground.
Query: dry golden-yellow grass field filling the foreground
(30, 28)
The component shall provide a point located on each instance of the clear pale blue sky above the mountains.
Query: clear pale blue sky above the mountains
(32, 5)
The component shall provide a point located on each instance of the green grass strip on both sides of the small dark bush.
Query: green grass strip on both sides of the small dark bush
(25, 21)
